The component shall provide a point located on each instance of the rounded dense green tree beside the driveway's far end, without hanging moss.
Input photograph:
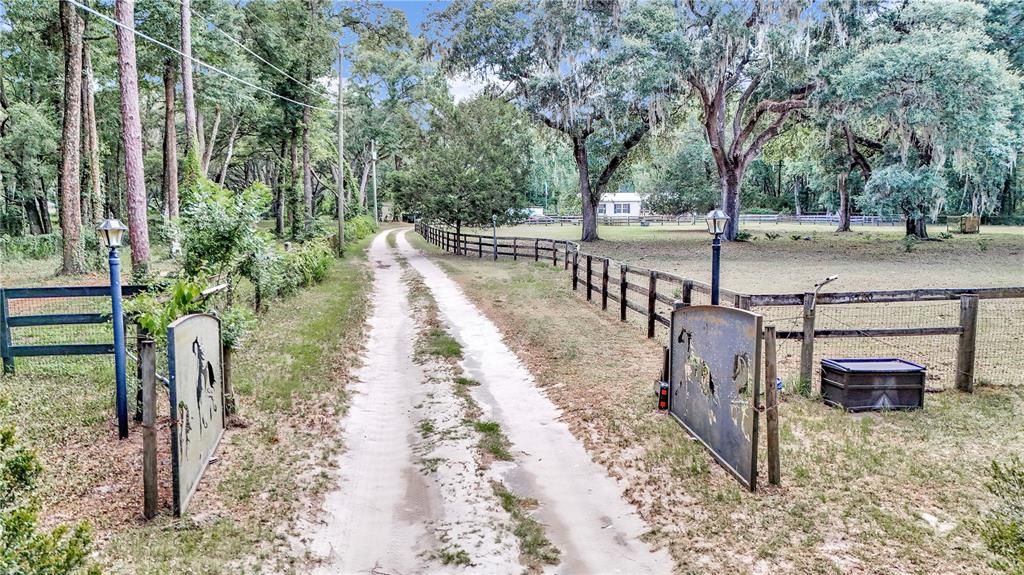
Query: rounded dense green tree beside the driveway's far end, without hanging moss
(471, 166)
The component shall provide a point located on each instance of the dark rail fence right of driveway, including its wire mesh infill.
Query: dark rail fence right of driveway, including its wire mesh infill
(950, 326)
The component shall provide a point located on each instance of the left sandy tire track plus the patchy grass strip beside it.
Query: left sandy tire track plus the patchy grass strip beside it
(409, 494)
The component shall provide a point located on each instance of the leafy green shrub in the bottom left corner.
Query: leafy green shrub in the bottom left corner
(24, 549)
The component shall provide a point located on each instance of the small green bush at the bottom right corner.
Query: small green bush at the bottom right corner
(1003, 527)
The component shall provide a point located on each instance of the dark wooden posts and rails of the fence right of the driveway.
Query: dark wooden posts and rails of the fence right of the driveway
(652, 294)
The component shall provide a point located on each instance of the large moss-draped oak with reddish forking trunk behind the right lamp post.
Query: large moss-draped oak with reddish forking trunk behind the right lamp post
(753, 67)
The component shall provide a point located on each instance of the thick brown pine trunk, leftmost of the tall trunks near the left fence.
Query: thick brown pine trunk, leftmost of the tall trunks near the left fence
(71, 143)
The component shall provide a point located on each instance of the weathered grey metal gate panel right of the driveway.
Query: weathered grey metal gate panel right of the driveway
(715, 383)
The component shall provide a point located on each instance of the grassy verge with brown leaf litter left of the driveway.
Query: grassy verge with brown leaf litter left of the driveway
(273, 465)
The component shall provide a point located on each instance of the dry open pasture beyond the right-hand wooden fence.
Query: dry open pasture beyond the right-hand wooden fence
(868, 258)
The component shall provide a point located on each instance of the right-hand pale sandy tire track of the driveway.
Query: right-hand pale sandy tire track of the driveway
(584, 509)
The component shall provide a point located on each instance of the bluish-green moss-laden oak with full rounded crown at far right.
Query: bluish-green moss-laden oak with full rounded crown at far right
(926, 103)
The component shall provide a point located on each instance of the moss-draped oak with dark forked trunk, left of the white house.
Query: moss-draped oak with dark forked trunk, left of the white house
(586, 70)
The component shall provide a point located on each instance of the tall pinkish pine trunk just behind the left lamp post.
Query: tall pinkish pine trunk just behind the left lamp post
(132, 134)
